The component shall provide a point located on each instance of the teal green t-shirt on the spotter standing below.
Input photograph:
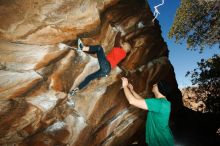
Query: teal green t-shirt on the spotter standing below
(158, 132)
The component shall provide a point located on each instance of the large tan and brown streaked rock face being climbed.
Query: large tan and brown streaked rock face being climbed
(36, 75)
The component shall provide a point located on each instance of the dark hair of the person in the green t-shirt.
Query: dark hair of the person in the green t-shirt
(164, 87)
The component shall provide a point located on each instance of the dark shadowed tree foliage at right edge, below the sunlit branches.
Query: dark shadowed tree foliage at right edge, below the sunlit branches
(207, 77)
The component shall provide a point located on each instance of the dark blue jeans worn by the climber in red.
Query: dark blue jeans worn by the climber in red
(104, 64)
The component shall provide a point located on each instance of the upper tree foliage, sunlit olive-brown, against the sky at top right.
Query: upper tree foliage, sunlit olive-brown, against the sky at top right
(197, 22)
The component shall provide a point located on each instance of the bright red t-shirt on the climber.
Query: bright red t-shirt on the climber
(115, 56)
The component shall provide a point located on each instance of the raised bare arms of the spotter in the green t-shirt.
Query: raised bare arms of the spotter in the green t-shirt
(138, 102)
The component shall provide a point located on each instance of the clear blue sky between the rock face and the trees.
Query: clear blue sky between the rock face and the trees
(182, 59)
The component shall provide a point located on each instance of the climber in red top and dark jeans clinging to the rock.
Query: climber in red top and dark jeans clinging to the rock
(106, 63)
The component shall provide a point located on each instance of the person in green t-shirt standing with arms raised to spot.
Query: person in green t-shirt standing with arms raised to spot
(158, 132)
